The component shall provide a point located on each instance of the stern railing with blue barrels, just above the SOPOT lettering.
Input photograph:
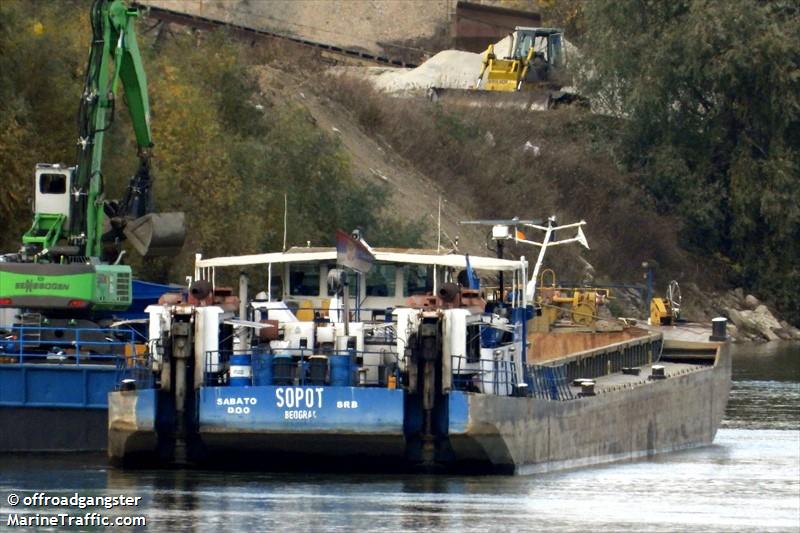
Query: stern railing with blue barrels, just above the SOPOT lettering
(262, 366)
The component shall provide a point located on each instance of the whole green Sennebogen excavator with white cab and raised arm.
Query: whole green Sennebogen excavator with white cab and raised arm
(69, 264)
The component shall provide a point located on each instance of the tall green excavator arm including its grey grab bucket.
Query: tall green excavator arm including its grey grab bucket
(114, 57)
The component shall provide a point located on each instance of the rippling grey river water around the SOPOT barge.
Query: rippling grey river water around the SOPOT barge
(748, 480)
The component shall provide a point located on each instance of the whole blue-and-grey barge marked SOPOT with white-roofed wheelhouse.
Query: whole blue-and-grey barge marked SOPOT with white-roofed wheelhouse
(418, 368)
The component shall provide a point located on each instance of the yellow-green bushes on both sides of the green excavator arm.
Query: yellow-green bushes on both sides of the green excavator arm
(224, 153)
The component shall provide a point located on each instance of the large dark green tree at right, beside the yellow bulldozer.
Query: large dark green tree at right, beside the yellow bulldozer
(711, 94)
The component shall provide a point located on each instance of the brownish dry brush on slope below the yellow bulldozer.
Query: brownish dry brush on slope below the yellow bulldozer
(478, 156)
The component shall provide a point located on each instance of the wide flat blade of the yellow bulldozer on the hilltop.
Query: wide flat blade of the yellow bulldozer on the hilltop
(527, 100)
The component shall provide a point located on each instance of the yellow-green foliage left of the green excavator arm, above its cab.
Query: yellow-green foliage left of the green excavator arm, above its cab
(37, 112)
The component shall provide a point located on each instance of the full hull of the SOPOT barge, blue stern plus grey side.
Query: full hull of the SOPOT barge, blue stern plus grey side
(629, 416)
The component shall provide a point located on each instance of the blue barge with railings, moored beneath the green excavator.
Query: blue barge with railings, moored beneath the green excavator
(56, 373)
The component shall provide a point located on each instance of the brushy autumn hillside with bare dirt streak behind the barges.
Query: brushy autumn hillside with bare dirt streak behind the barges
(239, 125)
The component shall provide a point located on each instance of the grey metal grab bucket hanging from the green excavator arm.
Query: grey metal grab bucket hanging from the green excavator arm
(157, 234)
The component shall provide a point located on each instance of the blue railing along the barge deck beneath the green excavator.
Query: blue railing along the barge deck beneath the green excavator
(66, 345)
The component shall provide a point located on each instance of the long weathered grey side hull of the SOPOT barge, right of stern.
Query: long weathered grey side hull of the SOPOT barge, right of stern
(629, 417)
